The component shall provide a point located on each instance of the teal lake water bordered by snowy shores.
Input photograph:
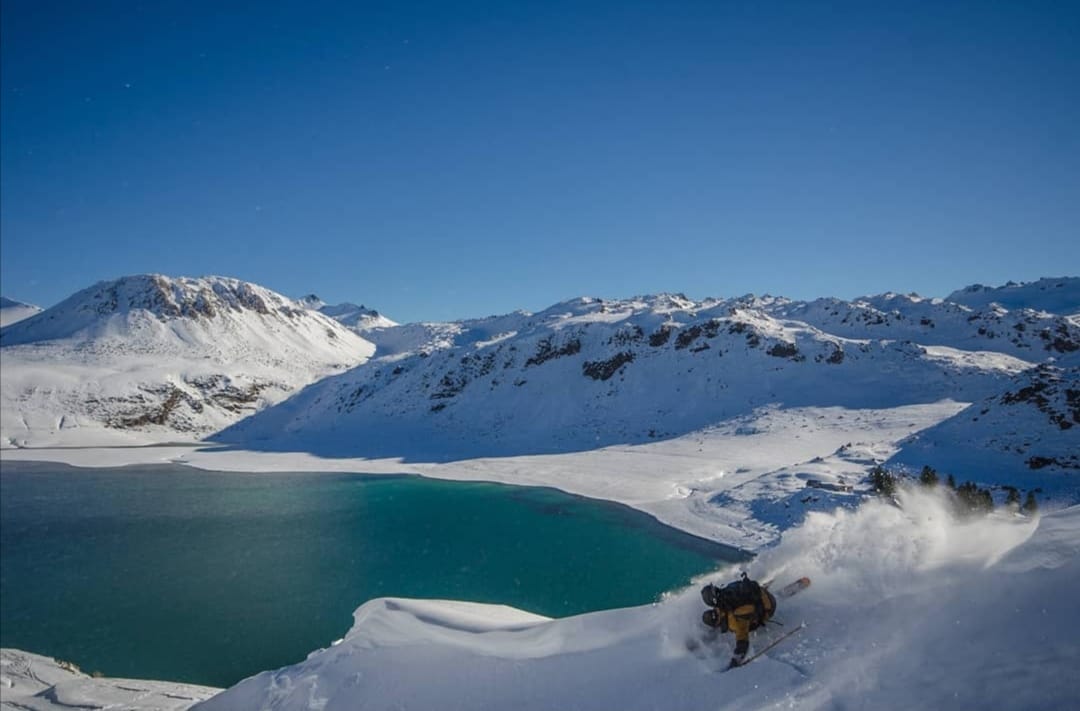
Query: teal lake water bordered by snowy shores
(206, 578)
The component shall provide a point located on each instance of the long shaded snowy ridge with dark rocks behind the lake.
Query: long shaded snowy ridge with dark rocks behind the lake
(590, 373)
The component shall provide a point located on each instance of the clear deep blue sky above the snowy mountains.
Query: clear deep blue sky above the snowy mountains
(448, 160)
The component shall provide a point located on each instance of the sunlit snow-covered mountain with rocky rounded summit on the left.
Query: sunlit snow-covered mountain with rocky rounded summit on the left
(152, 358)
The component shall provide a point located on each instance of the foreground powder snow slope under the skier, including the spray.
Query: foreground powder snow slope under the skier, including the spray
(909, 610)
